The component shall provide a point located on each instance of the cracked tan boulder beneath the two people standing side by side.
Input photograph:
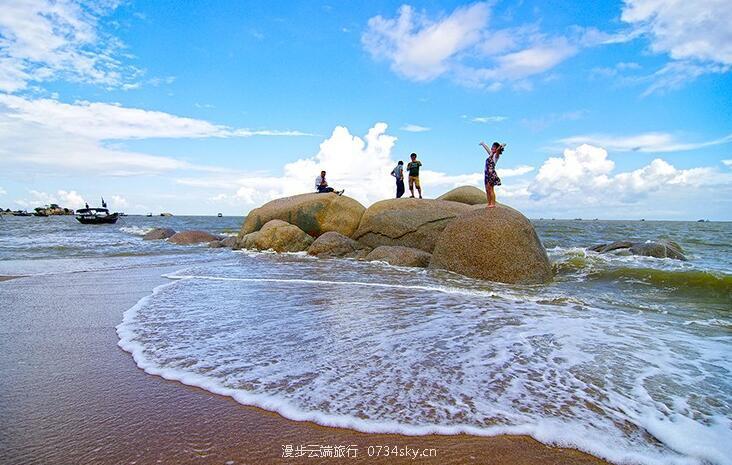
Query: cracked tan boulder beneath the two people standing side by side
(412, 223)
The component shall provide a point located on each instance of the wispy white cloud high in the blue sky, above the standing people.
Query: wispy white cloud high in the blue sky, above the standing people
(461, 45)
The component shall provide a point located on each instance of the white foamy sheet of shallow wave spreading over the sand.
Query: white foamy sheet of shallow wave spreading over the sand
(381, 353)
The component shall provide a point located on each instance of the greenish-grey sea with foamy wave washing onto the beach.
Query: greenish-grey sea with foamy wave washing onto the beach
(628, 358)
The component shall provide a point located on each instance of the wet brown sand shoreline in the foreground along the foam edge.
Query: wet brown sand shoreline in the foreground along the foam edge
(78, 398)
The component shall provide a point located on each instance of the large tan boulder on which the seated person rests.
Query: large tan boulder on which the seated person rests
(313, 213)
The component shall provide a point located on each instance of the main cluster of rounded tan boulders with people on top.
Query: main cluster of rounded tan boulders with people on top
(455, 233)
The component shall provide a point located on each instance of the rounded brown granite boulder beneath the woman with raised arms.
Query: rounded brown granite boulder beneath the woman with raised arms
(497, 244)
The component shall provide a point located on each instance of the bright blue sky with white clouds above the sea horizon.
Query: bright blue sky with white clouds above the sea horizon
(610, 109)
